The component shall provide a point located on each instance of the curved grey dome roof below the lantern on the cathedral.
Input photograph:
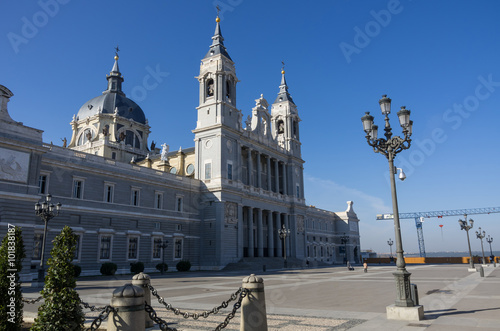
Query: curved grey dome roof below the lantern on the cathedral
(107, 103)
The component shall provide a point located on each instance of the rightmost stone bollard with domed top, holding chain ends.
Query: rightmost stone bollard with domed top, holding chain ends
(253, 306)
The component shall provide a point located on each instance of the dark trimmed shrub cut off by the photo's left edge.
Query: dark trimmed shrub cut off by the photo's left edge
(11, 255)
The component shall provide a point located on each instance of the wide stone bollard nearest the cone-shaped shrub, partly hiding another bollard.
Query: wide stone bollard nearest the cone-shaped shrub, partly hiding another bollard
(129, 301)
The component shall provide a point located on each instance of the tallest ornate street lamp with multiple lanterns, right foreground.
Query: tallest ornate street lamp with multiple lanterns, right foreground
(389, 147)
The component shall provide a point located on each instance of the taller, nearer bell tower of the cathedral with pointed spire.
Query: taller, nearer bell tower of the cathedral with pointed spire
(219, 121)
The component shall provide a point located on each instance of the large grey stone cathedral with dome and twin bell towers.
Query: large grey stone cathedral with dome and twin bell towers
(222, 201)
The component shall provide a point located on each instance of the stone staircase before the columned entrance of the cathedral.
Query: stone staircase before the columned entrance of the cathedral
(256, 264)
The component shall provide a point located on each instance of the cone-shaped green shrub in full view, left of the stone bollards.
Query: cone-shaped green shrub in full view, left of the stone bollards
(61, 309)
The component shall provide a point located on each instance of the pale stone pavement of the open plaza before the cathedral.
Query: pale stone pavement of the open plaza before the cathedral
(320, 299)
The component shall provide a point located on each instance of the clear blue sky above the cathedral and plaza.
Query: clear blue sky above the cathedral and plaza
(440, 59)
